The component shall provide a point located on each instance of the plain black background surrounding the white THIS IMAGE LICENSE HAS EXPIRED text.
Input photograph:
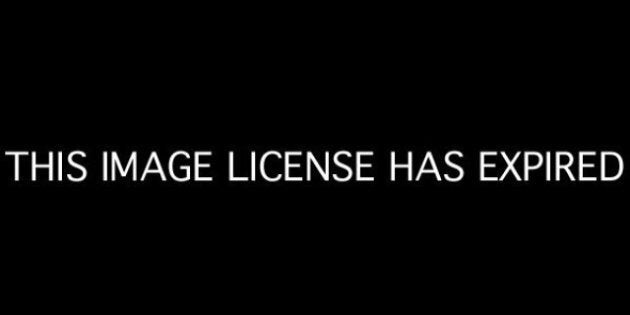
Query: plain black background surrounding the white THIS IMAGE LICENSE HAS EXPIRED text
(512, 80)
